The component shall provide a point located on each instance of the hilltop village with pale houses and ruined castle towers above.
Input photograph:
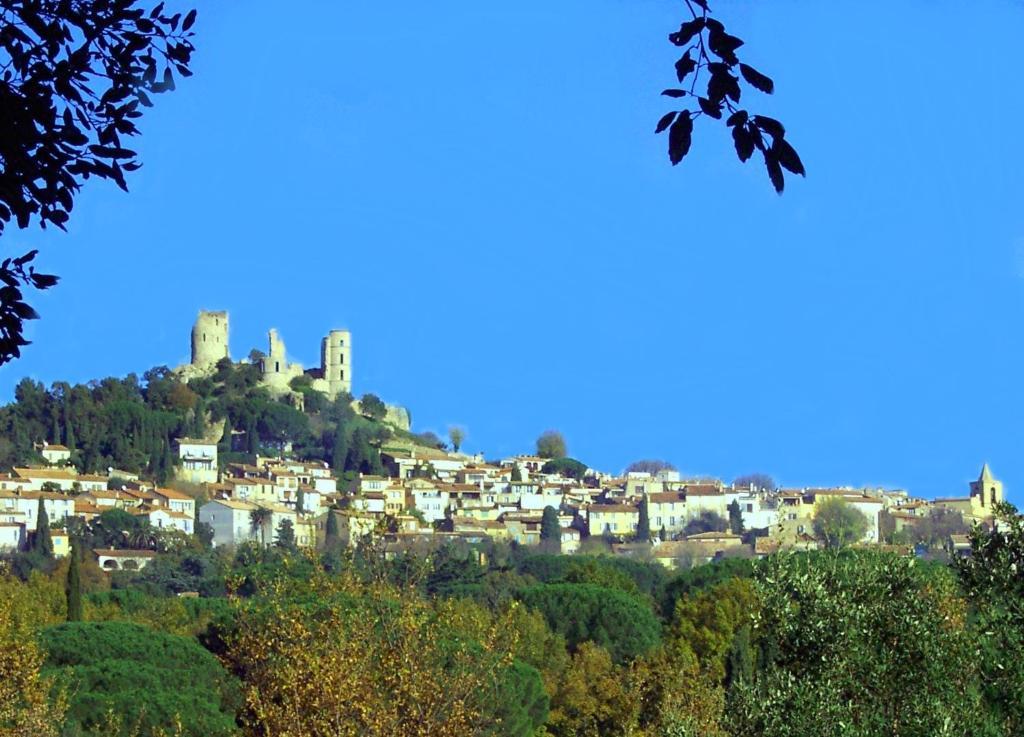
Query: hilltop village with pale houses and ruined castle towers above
(241, 487)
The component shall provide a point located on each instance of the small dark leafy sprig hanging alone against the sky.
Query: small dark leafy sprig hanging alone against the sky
(701, 35)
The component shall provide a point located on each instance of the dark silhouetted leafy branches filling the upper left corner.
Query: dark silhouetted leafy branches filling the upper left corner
(73, 85)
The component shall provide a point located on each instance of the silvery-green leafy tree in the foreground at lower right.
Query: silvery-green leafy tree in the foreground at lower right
(832, 628)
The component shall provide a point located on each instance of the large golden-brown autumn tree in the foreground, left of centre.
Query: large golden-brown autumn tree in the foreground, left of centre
(336, 657)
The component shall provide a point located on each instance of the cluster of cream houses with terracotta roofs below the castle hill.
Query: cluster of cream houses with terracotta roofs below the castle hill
(432, 497)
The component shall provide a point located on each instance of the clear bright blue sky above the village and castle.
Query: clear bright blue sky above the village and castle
(475, 190)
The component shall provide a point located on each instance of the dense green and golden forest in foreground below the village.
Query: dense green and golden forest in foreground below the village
(504, 641)
